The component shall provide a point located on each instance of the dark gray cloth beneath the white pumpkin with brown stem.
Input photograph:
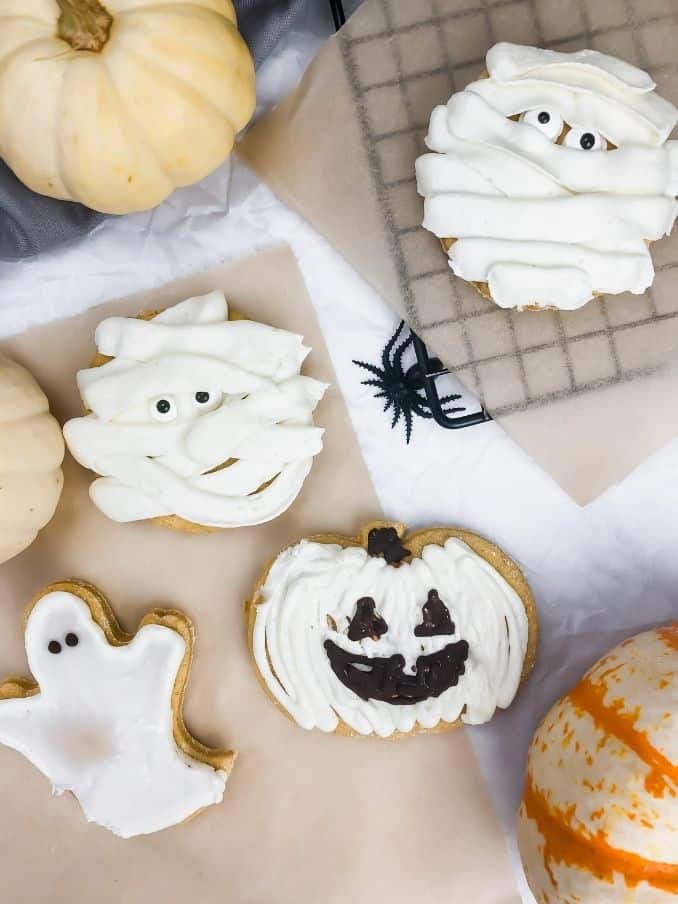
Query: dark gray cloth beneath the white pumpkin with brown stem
(31, 223)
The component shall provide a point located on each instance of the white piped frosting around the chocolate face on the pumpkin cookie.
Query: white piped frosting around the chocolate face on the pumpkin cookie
(310, 596)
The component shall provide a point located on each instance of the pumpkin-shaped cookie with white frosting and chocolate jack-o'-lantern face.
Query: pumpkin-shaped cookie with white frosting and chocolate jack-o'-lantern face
(392, 633)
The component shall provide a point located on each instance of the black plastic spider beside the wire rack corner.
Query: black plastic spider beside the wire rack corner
(404, 390)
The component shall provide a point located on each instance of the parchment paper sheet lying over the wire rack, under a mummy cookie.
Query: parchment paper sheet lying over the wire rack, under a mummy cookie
(342, 148)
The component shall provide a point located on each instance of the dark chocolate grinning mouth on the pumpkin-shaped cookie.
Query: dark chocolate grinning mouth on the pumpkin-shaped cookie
(383, 677)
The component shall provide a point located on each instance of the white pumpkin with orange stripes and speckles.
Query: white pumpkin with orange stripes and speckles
(599, 818)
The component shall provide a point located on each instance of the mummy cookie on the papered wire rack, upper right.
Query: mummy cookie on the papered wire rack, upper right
(550, 177)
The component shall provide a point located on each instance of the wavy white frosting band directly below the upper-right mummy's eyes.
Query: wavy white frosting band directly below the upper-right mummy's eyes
(631, 170)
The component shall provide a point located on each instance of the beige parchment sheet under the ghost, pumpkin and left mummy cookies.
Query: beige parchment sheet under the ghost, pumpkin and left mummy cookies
(306, 817)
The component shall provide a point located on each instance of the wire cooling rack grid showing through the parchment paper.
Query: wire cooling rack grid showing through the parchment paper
(431, 49)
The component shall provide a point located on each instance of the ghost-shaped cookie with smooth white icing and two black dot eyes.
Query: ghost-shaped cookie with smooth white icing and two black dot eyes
(104, 719)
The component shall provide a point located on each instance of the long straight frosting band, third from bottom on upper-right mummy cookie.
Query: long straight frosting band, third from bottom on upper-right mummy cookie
(576, 219)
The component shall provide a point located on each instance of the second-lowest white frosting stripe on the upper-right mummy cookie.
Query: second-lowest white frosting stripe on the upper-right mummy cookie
(473, 258)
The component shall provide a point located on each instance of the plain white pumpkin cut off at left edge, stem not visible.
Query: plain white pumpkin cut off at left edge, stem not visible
(31, 452)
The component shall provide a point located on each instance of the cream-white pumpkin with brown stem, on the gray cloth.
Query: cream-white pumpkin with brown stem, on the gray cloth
(115, 106)
